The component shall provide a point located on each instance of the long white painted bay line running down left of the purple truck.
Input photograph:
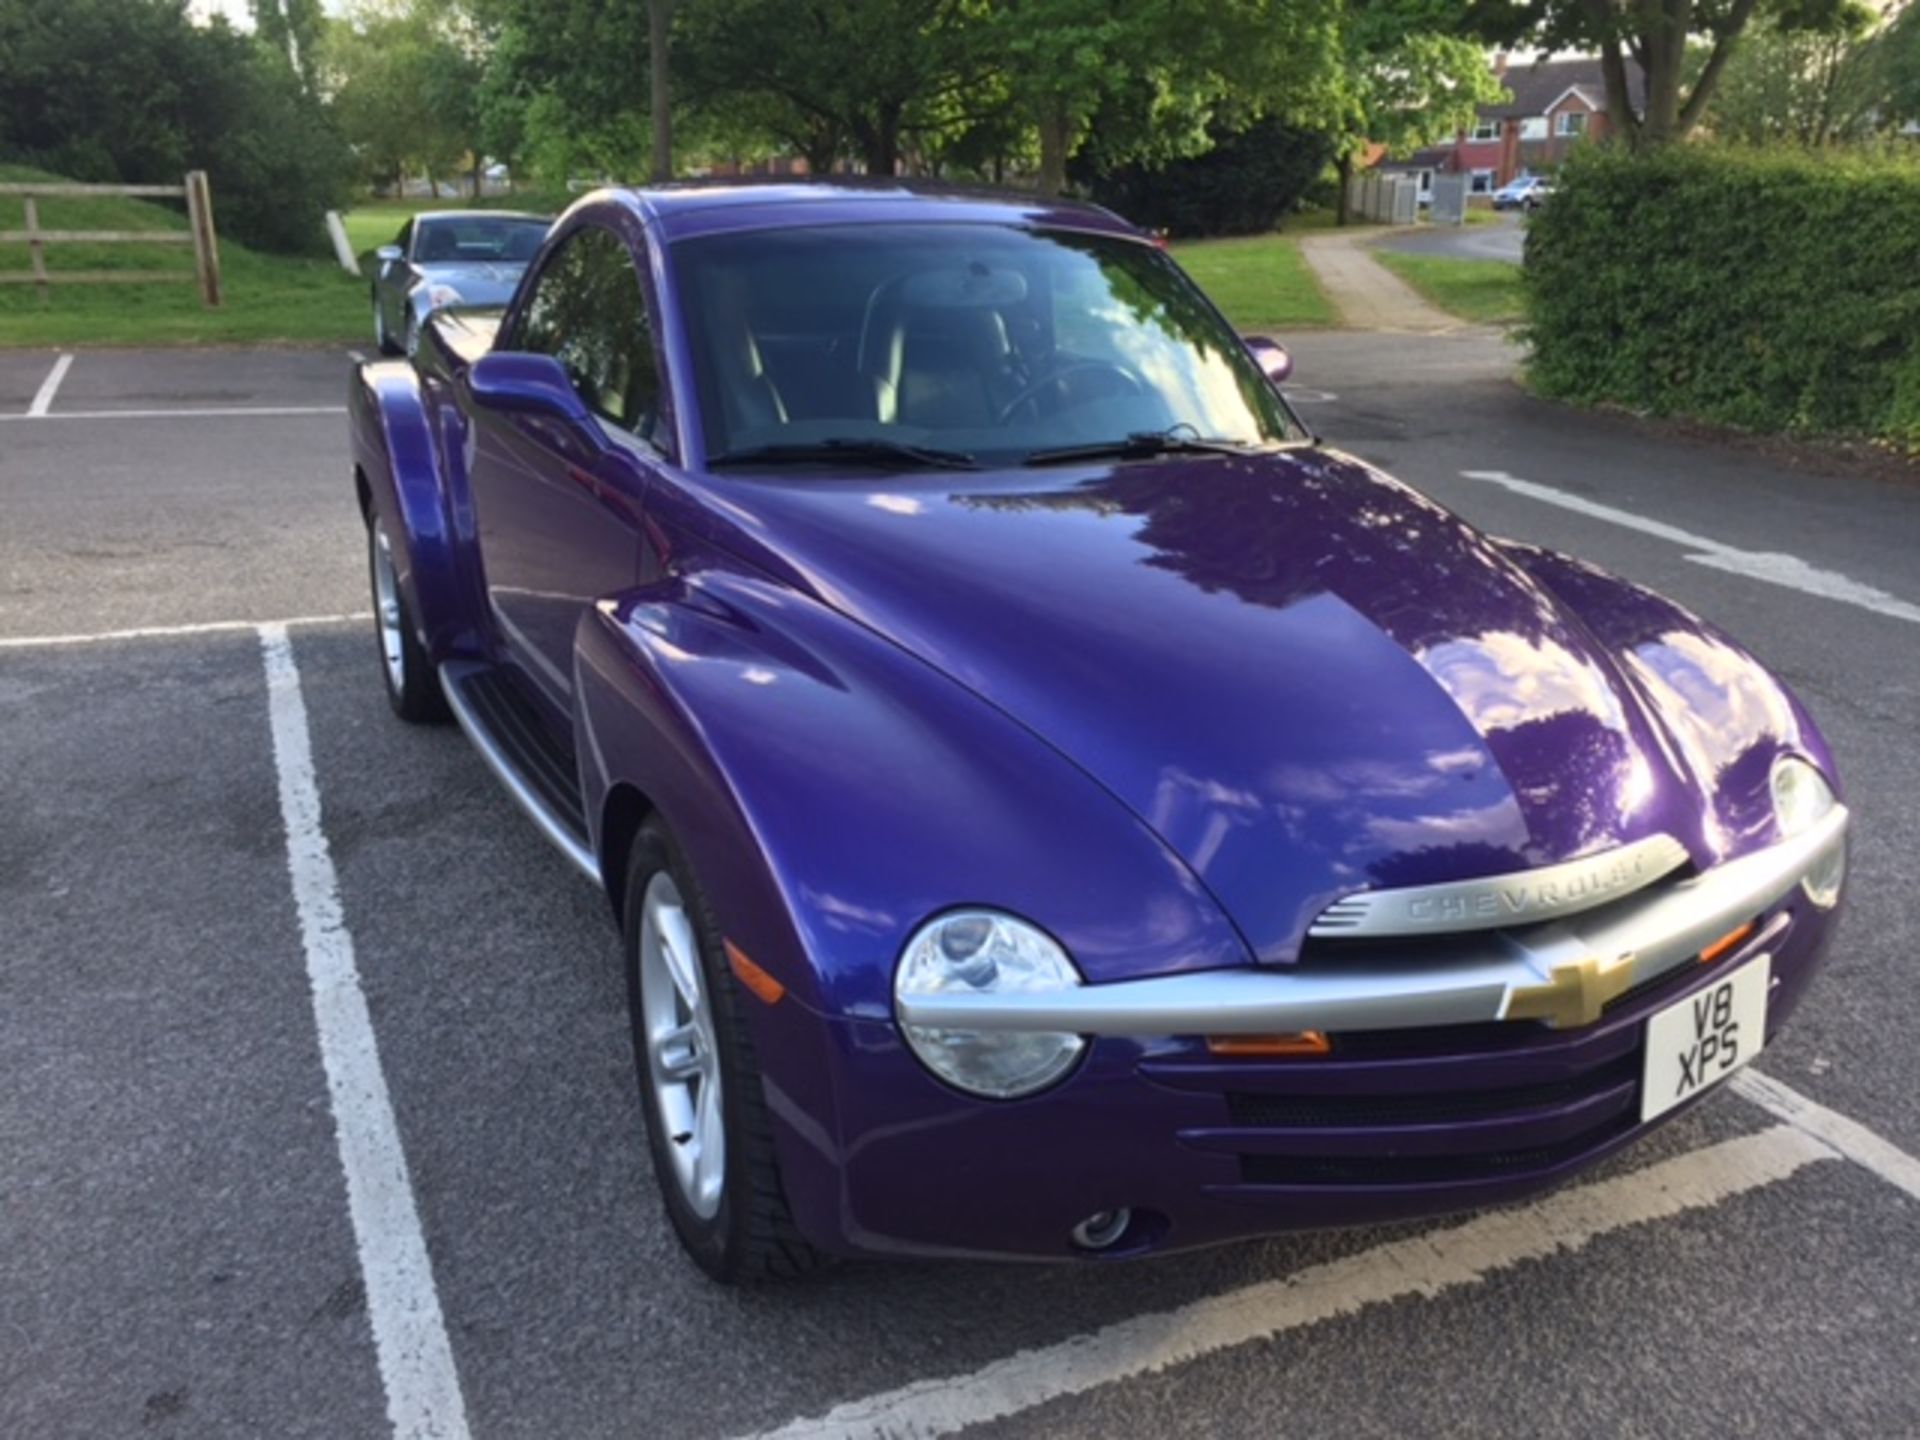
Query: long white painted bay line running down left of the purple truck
(423, 1391)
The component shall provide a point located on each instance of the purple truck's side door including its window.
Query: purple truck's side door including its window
(560, 512)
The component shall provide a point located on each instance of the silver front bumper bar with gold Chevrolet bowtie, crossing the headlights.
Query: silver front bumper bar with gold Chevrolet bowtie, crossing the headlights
(1522, 976)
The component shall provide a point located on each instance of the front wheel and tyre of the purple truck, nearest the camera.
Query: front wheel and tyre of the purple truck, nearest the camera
(700, 1082)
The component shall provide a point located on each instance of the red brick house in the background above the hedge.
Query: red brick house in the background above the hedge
(1554, 107)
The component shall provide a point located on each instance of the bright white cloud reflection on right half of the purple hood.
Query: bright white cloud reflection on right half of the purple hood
(1502, 681)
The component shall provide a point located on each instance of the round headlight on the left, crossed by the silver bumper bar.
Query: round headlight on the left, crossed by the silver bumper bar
(976, 951)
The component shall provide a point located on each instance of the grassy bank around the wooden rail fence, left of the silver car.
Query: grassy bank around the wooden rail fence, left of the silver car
(268, 299)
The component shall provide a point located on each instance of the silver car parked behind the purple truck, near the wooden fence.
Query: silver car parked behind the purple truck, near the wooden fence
(448, 258)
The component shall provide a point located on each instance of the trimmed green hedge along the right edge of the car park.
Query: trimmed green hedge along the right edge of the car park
(1773, 291)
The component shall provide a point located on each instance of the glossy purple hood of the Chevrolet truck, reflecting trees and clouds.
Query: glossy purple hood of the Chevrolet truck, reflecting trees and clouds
(1303, 675)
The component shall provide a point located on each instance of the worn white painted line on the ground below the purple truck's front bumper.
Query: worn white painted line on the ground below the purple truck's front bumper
(1420, 1266)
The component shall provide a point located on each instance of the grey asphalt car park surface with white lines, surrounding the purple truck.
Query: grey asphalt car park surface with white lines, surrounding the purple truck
(183, 1253)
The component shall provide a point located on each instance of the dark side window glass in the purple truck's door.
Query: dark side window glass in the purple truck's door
(588, 312)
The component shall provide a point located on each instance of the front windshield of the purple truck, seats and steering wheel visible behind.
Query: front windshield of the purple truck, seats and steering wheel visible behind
(984, 343)
